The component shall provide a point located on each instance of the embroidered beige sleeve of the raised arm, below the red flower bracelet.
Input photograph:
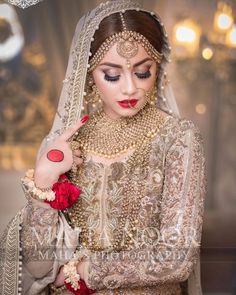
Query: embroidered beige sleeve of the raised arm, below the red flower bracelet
(38, 235)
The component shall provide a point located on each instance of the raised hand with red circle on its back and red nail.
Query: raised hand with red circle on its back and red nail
(52, 164)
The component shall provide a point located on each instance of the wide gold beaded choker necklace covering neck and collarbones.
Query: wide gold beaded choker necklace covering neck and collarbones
(110, 138)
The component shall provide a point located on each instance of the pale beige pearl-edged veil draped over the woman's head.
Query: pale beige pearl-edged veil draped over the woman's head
(71, 102)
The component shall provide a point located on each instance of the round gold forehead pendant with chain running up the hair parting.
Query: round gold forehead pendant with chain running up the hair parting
(126, 47)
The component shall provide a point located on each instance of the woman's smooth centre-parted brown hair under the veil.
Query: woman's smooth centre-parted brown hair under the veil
(138, 21)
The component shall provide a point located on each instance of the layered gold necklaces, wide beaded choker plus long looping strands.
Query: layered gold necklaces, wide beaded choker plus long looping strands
(110, 138)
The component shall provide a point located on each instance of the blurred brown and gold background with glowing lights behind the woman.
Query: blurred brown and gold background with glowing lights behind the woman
(34, 49)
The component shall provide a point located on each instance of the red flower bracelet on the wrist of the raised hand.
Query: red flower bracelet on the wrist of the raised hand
(66, 194)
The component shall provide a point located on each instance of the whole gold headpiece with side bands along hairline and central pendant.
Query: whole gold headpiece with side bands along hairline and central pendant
(127, 46)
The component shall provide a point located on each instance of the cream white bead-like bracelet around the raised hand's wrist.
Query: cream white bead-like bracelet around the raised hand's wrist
(42, 193)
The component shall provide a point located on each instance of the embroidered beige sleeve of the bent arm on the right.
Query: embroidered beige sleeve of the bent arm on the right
(173, 257)
